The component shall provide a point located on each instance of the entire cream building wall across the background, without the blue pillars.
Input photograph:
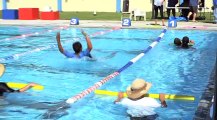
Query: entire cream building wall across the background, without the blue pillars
(86, 5)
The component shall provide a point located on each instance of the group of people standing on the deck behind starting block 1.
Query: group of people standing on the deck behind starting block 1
(189, 9)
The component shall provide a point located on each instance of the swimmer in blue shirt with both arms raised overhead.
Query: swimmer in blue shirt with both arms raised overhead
(77, 47)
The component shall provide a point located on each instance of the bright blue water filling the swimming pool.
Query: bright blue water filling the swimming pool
(170, 70)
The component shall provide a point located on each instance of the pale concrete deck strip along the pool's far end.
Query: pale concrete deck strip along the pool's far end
(109, 24)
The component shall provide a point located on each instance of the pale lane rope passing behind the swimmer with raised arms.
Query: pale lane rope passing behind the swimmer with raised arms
(16, 56)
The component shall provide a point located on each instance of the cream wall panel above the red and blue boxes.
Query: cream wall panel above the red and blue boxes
(41, 4)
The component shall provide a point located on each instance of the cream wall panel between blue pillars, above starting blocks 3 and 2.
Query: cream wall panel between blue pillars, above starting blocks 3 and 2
(89, 5)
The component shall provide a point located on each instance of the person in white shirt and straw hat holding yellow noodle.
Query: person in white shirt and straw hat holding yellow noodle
(137, 104)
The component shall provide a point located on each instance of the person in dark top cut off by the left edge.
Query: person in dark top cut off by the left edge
(4, 87)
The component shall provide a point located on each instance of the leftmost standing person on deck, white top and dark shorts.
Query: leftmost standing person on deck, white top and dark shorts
(158, 4)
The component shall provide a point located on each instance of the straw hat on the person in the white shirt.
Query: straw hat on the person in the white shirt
(138, 88)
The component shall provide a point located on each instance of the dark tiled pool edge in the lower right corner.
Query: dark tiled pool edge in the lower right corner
(203, 109)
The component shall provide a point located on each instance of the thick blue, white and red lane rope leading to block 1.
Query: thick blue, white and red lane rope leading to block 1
(104, 80)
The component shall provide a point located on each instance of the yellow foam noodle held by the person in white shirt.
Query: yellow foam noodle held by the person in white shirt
(167, 96)
